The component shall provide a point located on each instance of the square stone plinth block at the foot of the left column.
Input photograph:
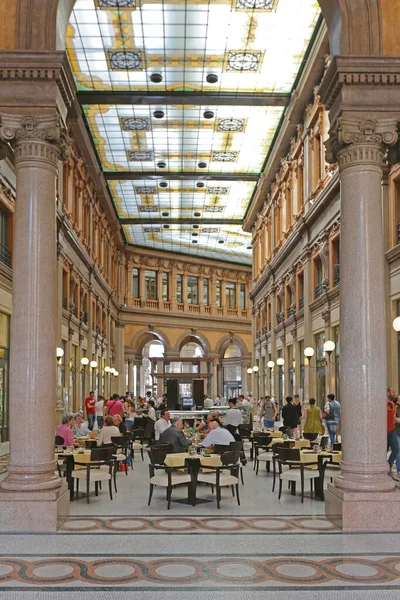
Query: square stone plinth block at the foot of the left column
(25, 512)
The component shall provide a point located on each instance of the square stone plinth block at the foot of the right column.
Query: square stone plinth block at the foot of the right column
(363, 511)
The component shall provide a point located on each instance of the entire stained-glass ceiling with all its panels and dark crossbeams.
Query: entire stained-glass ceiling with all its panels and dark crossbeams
(183, 99)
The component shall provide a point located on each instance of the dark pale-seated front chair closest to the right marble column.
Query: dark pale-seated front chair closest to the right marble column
(297, 471)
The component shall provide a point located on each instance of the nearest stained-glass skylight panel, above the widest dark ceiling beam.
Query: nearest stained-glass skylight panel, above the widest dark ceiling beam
(250, 50)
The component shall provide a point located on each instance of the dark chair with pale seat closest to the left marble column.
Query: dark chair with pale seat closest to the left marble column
(94, 470)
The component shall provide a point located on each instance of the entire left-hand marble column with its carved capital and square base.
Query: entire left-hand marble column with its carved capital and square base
(32, 497)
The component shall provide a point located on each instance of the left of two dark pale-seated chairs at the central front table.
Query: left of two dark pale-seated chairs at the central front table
(164, 476)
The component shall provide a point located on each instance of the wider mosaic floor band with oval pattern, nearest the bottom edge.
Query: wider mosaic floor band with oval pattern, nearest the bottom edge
(190, 572)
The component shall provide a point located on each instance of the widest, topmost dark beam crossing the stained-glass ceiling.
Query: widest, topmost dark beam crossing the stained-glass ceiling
(180, 98)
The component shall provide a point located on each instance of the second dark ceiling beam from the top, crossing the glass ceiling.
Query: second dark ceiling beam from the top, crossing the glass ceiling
(158, 176)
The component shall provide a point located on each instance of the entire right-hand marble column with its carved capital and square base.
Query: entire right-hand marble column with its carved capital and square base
(364, 492)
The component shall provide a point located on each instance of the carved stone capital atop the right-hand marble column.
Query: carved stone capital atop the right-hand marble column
(360, 142)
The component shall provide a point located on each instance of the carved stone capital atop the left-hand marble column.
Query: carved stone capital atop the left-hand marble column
(35, 138)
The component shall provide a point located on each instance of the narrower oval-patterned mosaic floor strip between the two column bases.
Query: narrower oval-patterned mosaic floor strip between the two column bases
(227, 524)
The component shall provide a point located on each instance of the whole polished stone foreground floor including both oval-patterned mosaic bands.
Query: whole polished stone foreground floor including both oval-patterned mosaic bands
(263, 549)
